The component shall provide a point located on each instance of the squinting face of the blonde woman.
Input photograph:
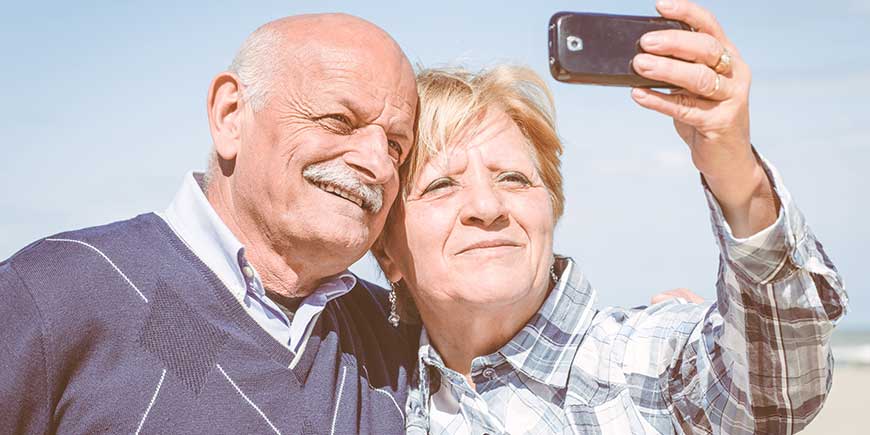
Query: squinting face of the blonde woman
(477, 224)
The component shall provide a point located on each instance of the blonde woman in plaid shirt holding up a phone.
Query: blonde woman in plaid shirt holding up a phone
(513, 341)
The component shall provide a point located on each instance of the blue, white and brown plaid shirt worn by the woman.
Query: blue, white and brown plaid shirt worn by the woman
(756, 361)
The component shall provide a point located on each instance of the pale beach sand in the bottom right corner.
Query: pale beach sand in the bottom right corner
(848, 405)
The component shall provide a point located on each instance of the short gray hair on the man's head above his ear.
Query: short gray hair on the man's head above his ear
(255, 64)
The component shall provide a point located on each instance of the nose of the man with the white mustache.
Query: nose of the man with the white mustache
(370, 156)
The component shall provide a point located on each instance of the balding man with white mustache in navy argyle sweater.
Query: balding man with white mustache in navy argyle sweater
(222, 314)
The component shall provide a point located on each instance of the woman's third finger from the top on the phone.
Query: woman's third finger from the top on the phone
(693, 77)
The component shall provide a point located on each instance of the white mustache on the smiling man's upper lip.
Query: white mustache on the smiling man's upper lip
(339, 175)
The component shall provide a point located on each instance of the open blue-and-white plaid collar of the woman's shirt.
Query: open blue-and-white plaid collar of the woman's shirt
(545, 348)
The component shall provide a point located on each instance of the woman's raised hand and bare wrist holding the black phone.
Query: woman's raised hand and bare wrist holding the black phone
(710, 112)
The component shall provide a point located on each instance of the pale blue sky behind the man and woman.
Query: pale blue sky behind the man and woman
(104, 112)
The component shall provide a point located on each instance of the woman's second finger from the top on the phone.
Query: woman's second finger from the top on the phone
(689, 46)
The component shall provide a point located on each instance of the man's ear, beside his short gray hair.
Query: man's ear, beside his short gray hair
(225, 114)
